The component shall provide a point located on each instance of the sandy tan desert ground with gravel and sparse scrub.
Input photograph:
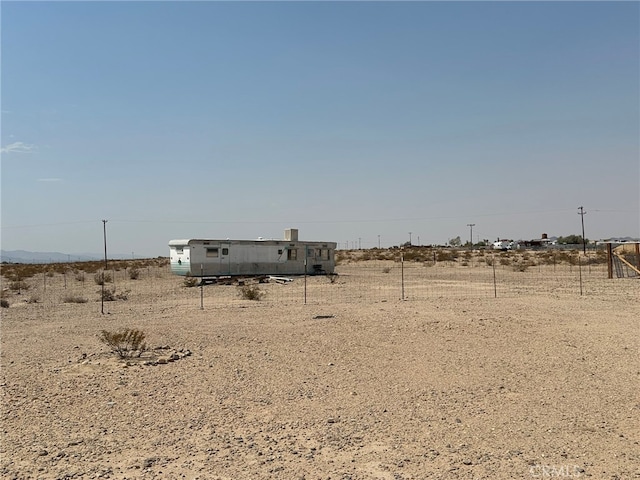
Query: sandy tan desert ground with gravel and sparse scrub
(539, 381)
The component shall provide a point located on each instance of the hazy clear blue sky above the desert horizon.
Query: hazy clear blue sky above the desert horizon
(346, 120)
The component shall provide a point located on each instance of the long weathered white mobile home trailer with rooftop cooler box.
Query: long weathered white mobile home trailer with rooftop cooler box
(218, 258)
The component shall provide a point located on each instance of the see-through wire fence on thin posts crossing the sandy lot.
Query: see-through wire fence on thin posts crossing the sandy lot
(155, 288)
